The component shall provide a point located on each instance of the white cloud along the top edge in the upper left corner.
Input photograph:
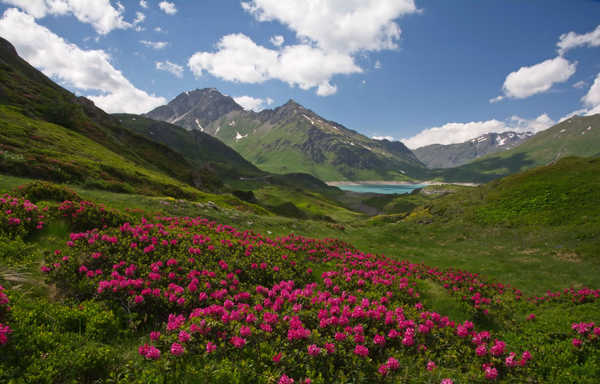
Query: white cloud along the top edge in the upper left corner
(99, 13)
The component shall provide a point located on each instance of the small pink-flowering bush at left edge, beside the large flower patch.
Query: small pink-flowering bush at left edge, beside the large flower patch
(19, 217)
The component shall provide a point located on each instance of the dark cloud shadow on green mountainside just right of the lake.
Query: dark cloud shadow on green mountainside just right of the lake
(484, 170)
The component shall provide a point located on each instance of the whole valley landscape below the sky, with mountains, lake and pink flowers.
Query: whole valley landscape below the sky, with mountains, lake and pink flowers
(202, 242)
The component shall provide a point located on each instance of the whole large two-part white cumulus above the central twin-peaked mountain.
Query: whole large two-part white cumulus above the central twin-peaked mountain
(330, 33)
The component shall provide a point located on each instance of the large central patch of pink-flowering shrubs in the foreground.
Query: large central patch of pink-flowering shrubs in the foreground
(224, 293)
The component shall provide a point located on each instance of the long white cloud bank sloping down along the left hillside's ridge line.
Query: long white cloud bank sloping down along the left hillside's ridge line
(86, 70)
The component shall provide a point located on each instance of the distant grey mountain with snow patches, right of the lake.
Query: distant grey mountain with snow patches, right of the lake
(454, 155)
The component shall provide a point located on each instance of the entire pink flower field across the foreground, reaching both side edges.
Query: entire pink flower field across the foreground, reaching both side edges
(205, 302)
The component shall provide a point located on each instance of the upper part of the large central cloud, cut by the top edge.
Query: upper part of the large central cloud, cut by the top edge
(341, 25)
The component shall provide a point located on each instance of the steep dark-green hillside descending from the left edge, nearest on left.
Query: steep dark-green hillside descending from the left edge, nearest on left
(48, 132)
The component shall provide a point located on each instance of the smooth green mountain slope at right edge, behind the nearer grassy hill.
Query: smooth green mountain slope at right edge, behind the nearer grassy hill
(577, 136)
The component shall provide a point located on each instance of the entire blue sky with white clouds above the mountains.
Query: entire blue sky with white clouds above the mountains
(418, 71)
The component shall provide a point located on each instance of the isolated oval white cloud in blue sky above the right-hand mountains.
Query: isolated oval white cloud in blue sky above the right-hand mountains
(538, 78)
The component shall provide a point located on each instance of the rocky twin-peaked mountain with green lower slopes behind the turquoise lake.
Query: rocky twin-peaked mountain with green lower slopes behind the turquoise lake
(291, 138)
